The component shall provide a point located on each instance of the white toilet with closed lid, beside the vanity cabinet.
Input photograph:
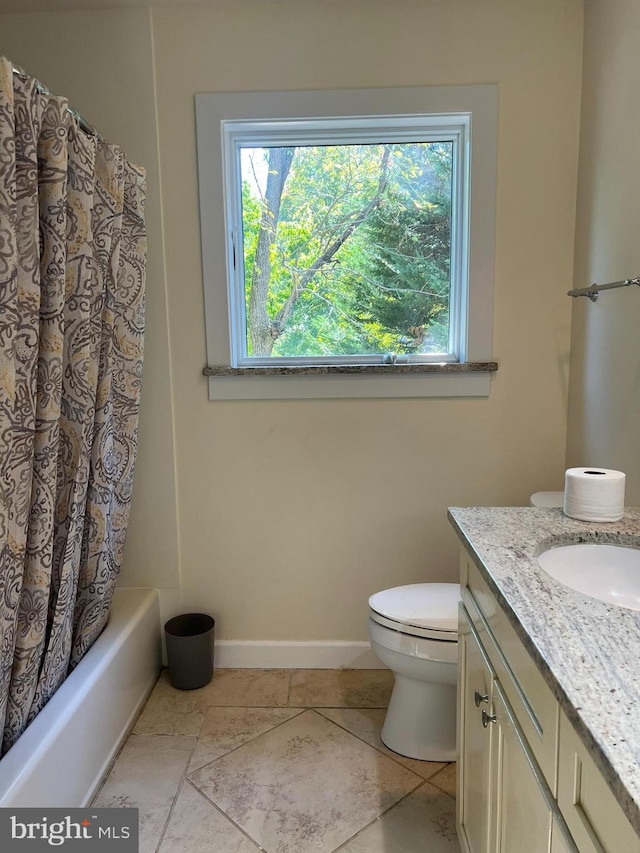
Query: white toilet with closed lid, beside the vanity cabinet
(413, 629)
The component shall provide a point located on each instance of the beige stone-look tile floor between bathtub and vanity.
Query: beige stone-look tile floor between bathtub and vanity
(283, 761)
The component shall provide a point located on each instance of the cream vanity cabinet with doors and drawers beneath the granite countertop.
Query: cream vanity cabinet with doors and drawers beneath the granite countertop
(526, 782)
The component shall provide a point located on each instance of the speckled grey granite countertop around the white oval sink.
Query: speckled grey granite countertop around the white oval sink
(587, 651)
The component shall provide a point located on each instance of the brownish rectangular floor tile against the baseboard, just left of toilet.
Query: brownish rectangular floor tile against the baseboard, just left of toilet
(340, 688)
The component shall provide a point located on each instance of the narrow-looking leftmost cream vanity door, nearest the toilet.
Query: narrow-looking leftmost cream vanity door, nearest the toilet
(474, 764)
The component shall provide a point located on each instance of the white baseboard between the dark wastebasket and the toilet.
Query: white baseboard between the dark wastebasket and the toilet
(256, 654)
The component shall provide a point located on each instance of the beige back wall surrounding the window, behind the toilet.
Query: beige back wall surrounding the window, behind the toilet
(291, 514)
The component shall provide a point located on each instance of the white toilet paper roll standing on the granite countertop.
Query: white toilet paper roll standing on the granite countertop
(594, 494)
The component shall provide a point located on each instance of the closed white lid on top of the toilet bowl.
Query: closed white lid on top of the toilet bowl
(420, 605)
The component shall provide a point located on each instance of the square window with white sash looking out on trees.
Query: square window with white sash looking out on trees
(350, 240)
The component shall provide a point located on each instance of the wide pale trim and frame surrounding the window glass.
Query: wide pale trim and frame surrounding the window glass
(222, 120)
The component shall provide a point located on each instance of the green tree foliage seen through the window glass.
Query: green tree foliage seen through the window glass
(386, 285)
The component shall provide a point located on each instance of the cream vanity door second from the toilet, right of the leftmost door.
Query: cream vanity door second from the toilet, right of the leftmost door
(524, 812)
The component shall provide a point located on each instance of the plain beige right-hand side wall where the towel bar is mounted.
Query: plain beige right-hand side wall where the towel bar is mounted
(604, 414)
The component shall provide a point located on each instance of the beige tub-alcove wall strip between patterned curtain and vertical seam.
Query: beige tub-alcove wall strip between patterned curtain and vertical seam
(73, 54)
